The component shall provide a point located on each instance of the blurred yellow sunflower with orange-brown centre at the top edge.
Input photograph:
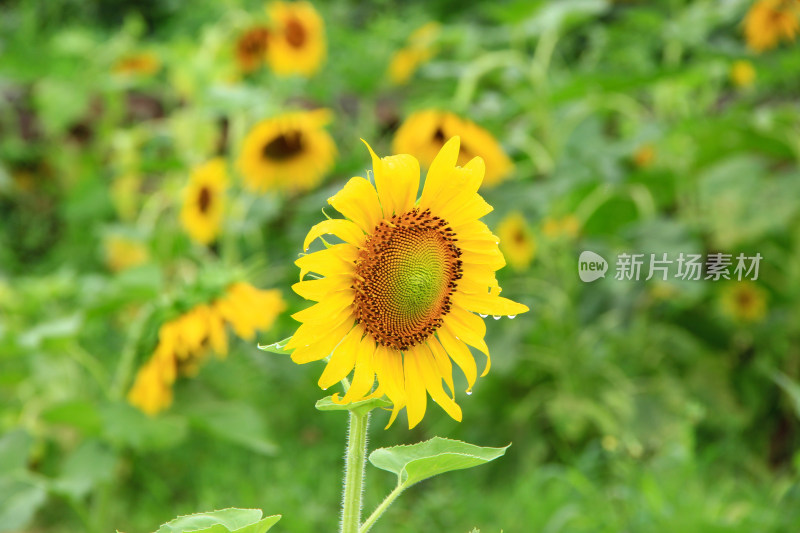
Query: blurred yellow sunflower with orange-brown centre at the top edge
(297, 45)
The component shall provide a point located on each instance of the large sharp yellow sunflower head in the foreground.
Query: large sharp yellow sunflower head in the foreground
(399, 294)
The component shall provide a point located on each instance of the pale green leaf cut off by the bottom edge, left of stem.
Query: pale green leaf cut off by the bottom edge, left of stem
(223, 521)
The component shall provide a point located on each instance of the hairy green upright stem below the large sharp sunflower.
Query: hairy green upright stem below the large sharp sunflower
(355, 457)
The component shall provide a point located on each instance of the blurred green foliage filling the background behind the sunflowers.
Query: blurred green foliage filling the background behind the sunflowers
(631, 406)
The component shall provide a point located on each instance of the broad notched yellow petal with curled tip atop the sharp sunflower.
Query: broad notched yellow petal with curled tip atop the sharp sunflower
(397, 181)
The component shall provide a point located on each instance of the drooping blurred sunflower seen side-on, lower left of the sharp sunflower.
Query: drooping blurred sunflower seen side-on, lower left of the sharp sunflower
(185, 342)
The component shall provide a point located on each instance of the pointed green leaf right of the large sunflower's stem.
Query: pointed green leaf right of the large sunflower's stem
(416, 462)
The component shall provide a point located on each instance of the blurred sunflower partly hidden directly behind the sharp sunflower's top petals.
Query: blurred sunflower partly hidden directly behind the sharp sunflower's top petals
(423, 134)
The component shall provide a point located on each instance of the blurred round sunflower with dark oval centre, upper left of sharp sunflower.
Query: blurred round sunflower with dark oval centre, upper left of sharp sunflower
(288, 152)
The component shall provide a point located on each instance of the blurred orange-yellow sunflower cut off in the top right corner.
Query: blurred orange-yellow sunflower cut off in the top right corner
(769, 21)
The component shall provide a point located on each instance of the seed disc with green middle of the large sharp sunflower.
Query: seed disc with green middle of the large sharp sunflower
(405, 275)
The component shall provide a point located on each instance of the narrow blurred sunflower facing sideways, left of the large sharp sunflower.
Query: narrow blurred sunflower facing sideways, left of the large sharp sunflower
(204, 201)
